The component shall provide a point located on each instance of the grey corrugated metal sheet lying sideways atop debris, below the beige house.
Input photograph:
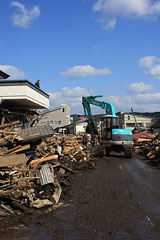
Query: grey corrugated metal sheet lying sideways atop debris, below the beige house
(37, 131)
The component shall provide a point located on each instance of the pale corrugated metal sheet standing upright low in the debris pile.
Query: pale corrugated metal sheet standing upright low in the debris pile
(46, 174)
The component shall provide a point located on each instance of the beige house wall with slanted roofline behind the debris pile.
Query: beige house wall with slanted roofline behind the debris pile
(57, 117)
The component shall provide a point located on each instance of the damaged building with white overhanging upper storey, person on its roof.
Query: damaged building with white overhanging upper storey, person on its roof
(19, 100)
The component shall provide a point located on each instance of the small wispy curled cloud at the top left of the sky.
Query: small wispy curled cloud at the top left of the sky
(24, 17)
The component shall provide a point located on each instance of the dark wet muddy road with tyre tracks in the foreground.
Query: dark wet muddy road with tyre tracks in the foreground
(120, 199)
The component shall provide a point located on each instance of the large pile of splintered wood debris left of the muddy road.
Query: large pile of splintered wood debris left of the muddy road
(36, 169)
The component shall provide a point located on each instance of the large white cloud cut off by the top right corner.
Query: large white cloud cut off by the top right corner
(110, 10)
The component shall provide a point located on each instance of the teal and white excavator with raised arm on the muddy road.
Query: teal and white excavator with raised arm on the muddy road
(112, 138)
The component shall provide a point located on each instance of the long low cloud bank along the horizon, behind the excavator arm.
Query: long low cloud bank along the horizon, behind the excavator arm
(73, 98)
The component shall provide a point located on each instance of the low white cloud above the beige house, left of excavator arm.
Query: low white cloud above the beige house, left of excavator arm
(70, 96)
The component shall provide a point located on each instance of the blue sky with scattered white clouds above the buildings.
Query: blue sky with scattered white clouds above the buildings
(85, 47)
